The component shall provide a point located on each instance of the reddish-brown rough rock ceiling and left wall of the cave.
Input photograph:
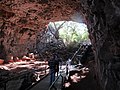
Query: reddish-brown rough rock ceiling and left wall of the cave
(22, 20)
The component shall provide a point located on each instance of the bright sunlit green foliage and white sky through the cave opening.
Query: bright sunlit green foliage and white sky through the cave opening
(70, 32)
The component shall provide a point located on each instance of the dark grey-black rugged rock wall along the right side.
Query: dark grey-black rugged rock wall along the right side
(103, 21)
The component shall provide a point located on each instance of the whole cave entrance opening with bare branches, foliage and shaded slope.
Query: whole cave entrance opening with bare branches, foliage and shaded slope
(62, 37)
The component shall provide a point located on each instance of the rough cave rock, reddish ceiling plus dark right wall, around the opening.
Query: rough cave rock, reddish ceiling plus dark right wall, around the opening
(20, 20)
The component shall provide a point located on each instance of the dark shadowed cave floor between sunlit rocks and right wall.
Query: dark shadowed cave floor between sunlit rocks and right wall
(87, 83)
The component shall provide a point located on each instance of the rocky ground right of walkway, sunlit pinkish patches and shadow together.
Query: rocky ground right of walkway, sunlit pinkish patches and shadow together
(85, 81)
